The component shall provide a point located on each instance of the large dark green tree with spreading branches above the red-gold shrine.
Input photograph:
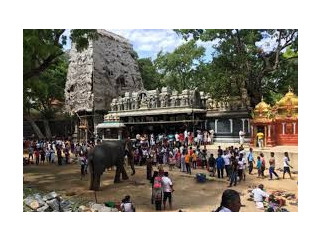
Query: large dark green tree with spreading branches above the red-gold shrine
(239, 62)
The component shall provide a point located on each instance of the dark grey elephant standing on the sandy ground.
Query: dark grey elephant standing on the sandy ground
(106, 155)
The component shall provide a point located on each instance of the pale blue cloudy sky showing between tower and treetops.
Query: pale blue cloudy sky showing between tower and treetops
(148, 42)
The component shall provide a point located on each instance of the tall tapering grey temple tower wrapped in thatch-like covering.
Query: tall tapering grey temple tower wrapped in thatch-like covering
(106, 69)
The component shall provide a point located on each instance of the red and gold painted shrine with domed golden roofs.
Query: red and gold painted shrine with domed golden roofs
(279, 123)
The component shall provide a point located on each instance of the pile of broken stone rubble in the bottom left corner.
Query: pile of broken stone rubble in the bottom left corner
(52, 202)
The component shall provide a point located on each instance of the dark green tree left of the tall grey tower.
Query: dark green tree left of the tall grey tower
(45, 68)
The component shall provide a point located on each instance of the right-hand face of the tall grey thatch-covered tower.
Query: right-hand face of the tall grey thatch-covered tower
(116, 70)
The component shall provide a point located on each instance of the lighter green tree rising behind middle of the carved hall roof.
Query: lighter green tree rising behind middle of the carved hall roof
(178, 69)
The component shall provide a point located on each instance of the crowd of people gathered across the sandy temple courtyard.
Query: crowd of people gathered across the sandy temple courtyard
(182, 151)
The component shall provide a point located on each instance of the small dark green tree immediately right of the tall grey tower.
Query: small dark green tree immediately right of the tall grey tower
(149, 74)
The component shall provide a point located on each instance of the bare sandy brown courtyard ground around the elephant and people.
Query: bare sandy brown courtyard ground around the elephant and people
(189, 195)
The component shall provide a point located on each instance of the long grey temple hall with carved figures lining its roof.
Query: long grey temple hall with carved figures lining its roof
(167, 111)
